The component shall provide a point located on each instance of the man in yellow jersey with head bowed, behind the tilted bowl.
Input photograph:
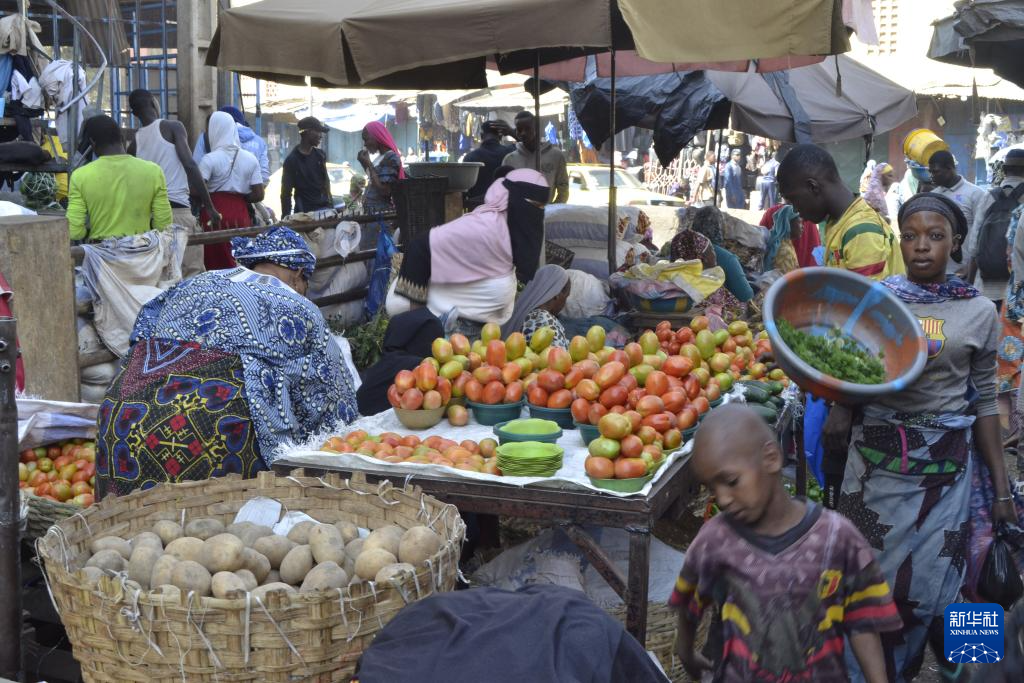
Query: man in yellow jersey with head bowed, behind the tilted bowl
(858, 238)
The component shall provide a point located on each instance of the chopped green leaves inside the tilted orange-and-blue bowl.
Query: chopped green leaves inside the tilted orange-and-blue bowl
(835, 355)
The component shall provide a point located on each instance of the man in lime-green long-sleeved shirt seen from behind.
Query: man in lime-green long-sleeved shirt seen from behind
(120, 195)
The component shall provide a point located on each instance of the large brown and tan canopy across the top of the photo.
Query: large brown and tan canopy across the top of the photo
(445, 45)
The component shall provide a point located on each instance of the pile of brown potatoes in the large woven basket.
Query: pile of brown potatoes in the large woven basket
(207, 559)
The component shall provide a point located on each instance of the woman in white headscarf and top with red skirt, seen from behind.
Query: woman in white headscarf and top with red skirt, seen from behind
(234, 179)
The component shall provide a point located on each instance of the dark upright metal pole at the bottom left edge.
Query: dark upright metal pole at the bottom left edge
(11, 571)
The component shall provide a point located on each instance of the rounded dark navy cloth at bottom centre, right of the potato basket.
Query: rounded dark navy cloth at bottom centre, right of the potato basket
(540, 634)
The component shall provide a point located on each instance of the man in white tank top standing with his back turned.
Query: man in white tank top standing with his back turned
(166, 144)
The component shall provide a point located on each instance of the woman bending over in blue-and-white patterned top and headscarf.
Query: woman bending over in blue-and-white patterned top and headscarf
(224, 369)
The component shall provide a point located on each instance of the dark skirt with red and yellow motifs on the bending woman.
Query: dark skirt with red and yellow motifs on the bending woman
(175, 413)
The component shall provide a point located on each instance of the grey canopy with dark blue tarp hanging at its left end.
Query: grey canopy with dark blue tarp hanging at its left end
(805, 105)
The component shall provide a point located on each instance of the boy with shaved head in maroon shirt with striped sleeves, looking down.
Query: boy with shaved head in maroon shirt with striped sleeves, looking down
(790, 581)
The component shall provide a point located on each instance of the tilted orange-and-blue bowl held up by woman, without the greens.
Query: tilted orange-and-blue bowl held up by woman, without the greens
(818, 301)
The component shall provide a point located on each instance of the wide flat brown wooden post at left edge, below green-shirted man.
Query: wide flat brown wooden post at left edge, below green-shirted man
(36, 262)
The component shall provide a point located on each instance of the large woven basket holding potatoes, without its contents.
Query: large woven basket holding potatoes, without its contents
(123, 635)
